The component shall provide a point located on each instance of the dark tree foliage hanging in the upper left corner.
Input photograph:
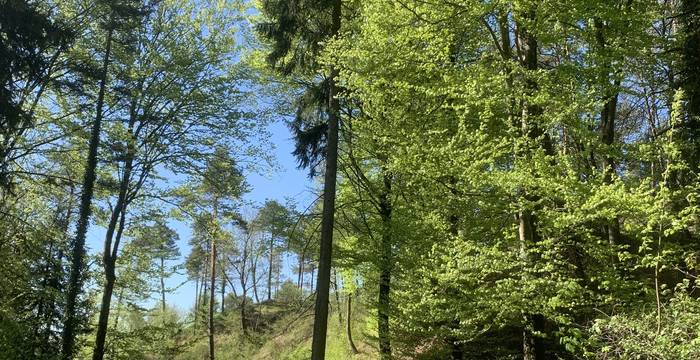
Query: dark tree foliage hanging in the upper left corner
(33, 40)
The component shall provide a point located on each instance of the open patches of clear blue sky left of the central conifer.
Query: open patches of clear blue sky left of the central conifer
(287, 182)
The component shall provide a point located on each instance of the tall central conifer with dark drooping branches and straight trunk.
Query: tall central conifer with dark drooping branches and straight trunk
(287, 29)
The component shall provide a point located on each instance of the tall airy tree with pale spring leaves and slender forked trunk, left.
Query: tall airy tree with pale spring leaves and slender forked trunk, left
(169, 77)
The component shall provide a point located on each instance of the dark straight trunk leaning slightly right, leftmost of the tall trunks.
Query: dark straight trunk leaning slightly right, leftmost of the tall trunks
(78, 252)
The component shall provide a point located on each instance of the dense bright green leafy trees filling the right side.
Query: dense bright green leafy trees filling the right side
(519, 177)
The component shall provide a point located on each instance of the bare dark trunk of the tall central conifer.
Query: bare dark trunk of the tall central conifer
(318, 345)
